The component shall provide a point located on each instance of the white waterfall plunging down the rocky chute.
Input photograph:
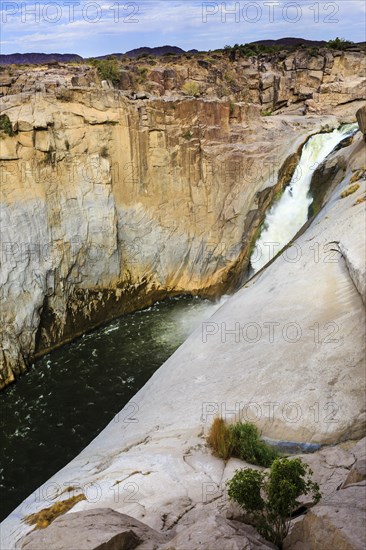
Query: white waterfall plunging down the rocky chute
(286, 217)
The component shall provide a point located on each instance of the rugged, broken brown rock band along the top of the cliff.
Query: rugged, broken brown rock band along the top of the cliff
(314, 79)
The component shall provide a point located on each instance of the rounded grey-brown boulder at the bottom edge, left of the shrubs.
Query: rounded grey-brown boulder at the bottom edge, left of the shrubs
(98, 529)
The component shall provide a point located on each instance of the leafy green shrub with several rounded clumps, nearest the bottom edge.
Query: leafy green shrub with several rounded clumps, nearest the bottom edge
(272, 498)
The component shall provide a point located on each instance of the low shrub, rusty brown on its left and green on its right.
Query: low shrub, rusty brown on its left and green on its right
(240, 440)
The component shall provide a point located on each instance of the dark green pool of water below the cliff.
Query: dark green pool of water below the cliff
(69, 396)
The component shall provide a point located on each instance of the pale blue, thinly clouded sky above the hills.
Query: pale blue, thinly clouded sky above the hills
(91, 28)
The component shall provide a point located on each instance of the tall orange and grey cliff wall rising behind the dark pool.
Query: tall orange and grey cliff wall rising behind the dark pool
(109, 203)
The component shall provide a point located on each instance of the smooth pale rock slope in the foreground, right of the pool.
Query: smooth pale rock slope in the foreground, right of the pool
(149, 479)
